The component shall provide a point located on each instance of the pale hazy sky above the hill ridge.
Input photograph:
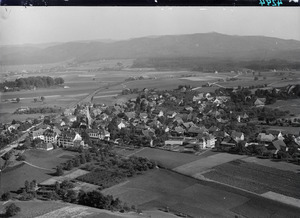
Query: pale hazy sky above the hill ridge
(34, 25)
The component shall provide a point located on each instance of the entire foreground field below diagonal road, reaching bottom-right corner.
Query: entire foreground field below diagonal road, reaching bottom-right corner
(163, 188)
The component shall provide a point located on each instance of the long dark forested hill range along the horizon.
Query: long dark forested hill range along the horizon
(204, 45)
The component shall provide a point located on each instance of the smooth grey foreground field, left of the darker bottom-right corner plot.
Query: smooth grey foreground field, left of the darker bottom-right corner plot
(161, 188)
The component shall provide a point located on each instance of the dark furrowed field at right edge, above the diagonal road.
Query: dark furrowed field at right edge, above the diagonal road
(256, 178)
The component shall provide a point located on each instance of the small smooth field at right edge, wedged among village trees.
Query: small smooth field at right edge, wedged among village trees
(292, 105)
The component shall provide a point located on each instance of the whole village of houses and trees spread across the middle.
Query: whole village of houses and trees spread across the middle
(181, 120)
